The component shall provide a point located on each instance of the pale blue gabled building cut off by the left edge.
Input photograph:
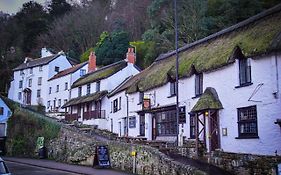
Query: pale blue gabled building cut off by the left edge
(5, 113)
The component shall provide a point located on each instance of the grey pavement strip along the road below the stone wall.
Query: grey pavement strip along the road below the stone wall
(49, 164)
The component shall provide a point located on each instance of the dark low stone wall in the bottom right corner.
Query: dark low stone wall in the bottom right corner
(245, 163)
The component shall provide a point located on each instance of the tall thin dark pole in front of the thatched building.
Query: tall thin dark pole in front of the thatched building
(177, 69)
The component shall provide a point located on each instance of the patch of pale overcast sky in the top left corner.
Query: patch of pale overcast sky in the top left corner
(13, 6)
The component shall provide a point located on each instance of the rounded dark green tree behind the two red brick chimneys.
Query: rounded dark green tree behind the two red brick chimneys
(111, 47)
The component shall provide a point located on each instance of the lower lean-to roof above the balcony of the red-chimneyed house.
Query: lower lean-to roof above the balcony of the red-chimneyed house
(84, 99)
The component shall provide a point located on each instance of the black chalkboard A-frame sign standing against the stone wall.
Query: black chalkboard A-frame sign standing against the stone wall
(102, 157)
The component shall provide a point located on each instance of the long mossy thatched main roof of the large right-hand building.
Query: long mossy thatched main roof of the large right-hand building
(258, 35)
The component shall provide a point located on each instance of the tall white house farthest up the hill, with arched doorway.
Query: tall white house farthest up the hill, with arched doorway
(30, 83)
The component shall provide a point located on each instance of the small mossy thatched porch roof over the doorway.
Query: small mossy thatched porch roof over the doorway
(208, 101)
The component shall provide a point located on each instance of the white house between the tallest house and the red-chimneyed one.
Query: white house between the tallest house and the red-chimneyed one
(60, 85)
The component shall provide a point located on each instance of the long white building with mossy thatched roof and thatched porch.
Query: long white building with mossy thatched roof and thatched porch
(229, 91)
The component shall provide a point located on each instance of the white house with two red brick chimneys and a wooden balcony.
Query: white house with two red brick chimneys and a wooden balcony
(89, 103)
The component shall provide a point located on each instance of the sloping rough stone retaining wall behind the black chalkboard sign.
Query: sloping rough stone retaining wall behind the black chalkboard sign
(76, 147)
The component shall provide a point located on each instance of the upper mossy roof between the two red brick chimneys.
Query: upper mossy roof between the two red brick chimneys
(100, 74)
